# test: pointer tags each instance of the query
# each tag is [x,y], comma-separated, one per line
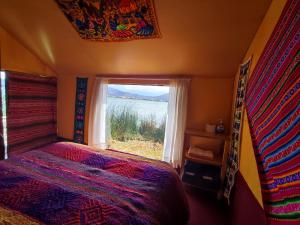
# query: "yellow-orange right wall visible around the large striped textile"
[248,166]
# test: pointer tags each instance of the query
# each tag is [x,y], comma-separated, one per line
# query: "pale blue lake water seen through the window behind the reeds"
[143,108]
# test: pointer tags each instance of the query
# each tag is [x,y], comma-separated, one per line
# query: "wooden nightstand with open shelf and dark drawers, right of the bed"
[203,172]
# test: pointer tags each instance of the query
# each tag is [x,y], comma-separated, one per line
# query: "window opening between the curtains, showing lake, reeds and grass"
[136,118]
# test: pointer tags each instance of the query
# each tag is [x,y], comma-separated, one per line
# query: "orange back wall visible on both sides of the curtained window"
[209,100]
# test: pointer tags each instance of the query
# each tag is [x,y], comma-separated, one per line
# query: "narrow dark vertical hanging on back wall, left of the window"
[80,103]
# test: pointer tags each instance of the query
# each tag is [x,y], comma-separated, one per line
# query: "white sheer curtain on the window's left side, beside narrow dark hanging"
[97,116]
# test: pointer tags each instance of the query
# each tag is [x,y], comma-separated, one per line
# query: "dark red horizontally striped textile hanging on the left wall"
[31,111]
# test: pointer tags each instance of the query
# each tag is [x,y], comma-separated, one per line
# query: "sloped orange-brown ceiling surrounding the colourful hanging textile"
[199,37]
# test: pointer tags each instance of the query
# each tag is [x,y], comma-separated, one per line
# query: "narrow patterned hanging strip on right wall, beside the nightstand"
[234,151]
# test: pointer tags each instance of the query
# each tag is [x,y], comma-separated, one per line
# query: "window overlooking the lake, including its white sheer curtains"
[102,113]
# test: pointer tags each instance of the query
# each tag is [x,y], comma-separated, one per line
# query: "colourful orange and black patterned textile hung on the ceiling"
[112,20]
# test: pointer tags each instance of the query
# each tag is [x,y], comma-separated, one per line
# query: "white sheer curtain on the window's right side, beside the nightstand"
[176,121]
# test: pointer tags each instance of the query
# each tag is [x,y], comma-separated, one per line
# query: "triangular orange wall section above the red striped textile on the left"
[15,57]
